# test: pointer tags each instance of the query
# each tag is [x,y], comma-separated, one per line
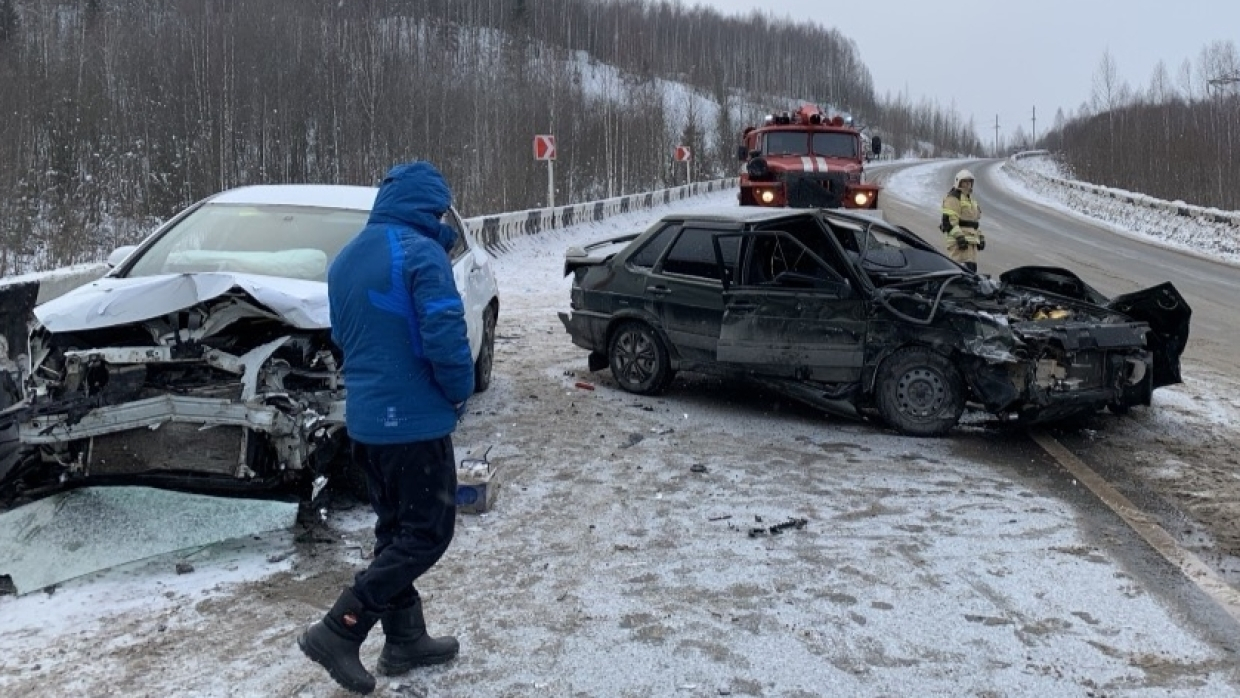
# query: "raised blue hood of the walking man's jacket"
[416,195]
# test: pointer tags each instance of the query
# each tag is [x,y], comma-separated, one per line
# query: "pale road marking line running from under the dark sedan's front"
[1189,563]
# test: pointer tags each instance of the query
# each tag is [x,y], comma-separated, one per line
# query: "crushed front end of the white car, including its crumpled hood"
[208,382]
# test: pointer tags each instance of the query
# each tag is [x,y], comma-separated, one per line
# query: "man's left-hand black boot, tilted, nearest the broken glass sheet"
[335,642]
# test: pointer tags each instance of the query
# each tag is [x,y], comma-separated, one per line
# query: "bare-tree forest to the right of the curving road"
[1177,139]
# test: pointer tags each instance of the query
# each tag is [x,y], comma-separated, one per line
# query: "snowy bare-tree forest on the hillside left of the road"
[117,113]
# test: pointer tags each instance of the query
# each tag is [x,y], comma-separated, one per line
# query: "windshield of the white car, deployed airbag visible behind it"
[277,241]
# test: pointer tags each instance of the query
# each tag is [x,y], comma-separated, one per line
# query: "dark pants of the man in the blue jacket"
[414,493]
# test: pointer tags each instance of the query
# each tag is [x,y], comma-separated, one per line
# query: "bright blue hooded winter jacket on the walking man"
[399,318]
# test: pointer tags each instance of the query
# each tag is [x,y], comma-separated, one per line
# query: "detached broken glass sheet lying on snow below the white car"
[84,531]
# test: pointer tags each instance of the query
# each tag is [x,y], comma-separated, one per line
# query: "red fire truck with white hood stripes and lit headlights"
[807,161]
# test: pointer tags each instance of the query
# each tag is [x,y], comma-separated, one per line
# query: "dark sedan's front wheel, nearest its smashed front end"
[921,394]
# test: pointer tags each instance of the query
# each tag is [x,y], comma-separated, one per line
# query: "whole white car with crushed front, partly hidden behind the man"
[203,360]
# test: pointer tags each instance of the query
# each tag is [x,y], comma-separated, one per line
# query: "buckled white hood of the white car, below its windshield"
[111,302]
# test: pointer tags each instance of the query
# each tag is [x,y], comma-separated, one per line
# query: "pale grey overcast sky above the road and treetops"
[1005,59]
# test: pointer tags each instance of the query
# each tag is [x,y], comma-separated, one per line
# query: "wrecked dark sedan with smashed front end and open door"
[865,319]
